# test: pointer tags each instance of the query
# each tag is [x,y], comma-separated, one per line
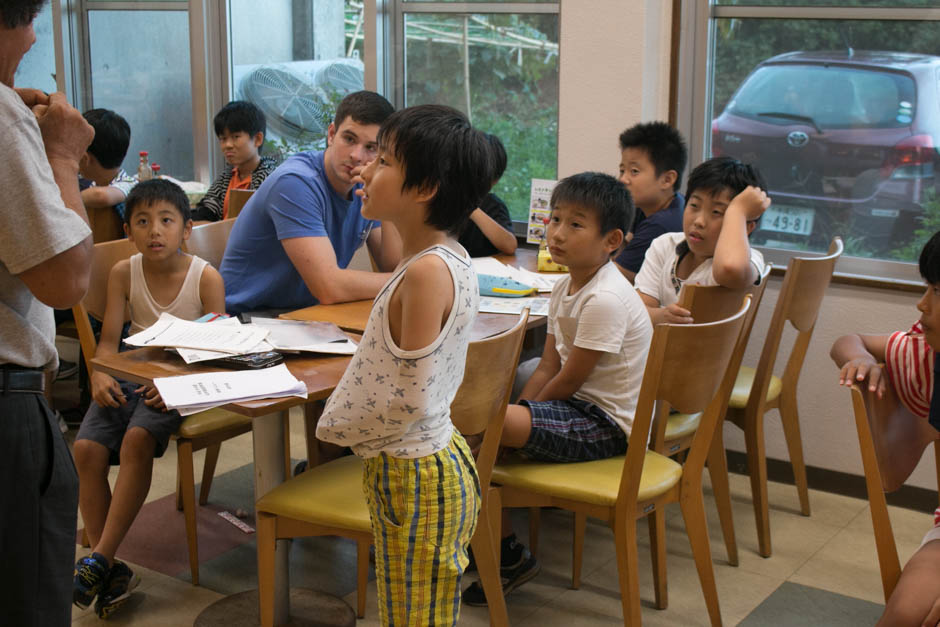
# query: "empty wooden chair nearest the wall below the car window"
[758,390]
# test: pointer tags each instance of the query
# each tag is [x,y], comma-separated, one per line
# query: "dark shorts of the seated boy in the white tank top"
[107,425]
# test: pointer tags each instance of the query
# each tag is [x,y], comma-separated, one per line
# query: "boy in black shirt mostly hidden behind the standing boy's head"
[489,230]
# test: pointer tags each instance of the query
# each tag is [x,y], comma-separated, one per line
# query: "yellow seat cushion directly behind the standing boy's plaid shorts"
[329,494]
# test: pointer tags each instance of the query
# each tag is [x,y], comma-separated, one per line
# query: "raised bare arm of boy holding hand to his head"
[731,265]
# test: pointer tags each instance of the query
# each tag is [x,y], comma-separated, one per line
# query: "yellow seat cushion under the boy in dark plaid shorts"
[596,482]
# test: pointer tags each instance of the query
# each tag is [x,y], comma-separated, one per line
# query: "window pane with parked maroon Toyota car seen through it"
[842,119]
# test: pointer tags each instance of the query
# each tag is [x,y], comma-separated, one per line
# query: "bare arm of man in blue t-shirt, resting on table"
[315,260]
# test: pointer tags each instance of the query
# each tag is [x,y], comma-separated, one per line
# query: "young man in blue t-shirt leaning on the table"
[293,240]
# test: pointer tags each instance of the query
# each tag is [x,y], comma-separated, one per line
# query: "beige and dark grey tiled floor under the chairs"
[832,550]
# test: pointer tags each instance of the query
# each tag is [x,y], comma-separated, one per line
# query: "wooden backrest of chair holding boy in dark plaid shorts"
[674,378]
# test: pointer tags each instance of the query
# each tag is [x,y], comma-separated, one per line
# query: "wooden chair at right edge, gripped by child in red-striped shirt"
[892,441]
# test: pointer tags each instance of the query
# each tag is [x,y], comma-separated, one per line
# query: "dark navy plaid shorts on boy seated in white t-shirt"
[572,431]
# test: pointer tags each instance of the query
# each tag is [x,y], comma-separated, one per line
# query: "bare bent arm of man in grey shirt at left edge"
[61,281]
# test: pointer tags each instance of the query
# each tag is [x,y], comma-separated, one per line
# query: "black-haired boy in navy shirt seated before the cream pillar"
[652,158]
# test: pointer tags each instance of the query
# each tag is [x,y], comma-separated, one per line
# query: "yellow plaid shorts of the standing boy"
[423,513]
